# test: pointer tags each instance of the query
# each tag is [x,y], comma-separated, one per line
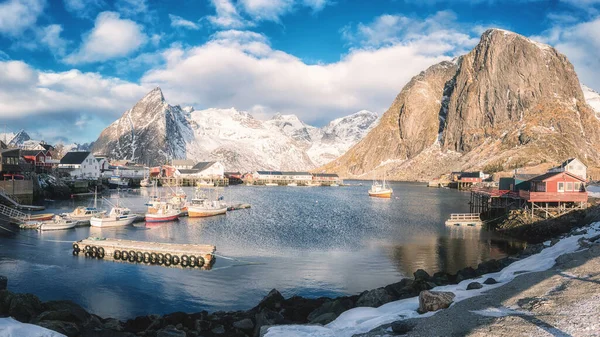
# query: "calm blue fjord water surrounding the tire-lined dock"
[319,241]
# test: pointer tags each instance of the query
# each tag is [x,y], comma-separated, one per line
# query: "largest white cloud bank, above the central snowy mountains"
[241,69]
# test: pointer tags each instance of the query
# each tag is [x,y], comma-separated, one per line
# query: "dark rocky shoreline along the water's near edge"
[72,320]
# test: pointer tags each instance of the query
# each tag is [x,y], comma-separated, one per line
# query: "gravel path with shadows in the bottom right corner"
[562,301]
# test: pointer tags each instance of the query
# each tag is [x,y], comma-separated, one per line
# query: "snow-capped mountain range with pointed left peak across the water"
[154,132]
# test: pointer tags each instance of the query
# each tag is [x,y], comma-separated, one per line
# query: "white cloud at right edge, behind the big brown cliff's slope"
[580,43]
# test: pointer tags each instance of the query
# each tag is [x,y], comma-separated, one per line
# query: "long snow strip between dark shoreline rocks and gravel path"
[362,320]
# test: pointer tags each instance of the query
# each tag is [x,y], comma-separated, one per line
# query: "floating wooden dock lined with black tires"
[157,253]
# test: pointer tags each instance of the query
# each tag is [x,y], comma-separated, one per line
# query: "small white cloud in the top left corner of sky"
[18,15]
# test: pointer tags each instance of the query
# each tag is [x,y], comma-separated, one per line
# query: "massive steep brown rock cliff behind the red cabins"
[510,102]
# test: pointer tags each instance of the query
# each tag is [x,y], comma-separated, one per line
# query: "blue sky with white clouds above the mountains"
[68,68]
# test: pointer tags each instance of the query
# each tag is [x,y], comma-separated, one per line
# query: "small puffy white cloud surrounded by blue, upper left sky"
[111,37]
